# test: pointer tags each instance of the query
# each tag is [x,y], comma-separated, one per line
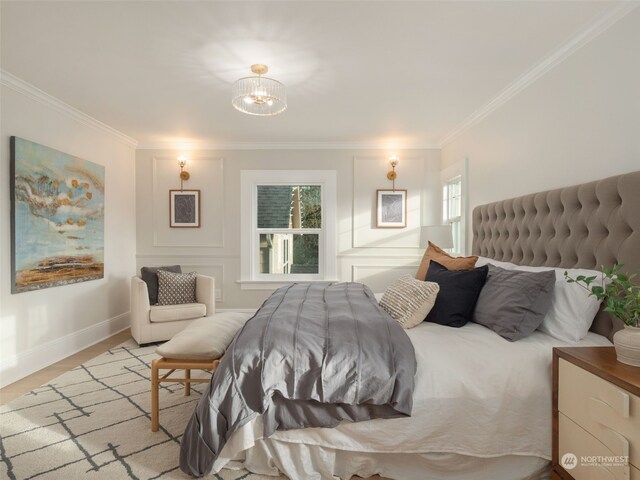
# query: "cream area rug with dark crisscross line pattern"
[94,423]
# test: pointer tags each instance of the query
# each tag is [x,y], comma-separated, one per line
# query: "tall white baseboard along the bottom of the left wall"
[25,363]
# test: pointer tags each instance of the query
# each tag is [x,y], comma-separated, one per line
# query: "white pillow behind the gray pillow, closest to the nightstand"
[572,307]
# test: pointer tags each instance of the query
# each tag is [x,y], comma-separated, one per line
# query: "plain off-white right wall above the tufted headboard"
[577,123]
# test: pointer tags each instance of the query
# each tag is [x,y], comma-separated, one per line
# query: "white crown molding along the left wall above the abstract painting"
[11,81]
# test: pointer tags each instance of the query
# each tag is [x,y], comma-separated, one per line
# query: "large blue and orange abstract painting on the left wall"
[57,218]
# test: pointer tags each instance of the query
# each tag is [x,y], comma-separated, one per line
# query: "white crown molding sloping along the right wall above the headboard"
[593,30]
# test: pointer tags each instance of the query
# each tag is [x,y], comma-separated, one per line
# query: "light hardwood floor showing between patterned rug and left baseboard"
[41,377]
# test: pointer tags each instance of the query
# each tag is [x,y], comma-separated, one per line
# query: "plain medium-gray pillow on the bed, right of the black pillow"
[513,303]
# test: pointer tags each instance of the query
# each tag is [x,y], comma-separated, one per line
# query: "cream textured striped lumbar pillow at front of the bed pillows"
[409,300]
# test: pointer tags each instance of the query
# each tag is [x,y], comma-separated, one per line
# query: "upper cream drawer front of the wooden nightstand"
[607,412]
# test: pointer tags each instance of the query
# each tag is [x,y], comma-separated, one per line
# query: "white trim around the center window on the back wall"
[249,180]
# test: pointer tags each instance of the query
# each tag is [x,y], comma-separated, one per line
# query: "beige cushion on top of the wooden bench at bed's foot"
[205,338]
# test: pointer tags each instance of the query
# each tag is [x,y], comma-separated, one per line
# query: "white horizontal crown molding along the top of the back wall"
[281,146]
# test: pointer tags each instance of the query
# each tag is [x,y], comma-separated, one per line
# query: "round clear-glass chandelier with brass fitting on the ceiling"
[259,95]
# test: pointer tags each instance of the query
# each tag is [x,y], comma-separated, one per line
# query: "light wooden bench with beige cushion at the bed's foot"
[200,346]
